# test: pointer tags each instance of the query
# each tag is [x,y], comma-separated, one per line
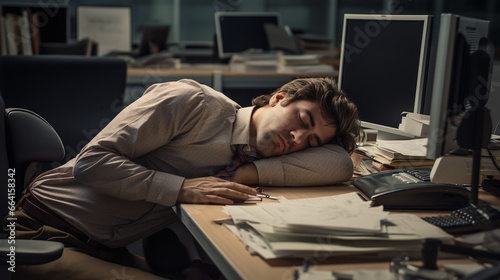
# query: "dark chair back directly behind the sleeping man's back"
[77,95]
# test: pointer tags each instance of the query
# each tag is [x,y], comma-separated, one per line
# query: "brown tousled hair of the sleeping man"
[335,107]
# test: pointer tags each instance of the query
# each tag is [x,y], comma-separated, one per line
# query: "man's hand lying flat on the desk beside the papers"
[213,190]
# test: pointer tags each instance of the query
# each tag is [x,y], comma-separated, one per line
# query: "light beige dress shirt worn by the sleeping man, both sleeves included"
[123,184]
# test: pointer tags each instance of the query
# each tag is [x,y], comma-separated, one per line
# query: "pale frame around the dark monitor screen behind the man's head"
[388,131]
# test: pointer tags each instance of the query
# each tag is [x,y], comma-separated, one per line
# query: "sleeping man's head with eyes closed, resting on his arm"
[303,113]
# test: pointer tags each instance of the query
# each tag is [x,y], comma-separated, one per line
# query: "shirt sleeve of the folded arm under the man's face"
[325,165]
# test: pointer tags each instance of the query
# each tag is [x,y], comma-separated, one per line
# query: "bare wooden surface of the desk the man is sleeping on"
[235,262]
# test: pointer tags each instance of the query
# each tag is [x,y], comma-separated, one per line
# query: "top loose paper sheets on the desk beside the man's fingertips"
[345,213]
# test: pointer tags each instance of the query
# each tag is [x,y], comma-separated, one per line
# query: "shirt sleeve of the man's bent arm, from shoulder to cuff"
[110,162]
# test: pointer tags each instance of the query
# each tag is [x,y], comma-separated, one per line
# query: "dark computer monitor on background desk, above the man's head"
[240,31]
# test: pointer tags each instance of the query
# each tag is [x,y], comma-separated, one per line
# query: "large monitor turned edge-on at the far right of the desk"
[456,79]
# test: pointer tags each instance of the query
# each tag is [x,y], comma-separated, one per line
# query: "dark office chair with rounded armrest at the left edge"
[25,137]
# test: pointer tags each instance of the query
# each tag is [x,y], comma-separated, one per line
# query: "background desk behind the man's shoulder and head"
[239,86]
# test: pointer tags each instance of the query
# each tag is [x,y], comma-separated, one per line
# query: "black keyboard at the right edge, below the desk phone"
[468,219]
